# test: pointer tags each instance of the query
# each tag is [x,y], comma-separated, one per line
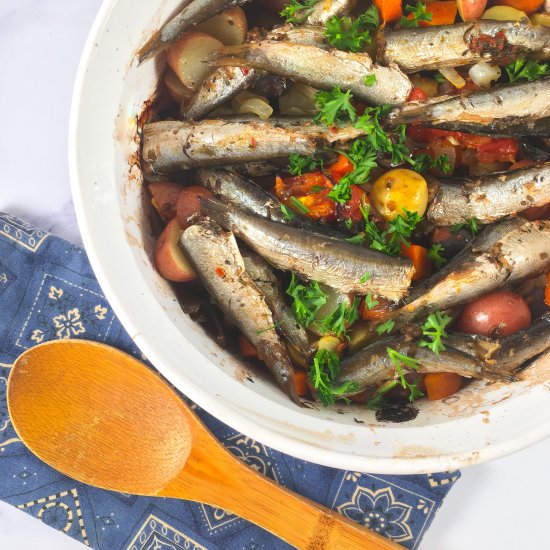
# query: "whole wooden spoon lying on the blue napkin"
[100,416]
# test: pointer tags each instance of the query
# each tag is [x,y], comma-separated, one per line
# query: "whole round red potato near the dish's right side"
[497,314]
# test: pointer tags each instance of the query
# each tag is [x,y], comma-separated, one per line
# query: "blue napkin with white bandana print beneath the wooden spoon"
[47,291]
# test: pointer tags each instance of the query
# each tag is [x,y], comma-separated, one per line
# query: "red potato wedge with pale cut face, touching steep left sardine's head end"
[169,259]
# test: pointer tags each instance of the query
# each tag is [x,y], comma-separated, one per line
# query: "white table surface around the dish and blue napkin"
[498,505]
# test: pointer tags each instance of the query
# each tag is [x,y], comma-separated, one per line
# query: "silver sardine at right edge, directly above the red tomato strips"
[520,109]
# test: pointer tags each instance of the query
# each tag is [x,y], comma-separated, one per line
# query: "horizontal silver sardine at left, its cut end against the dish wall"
[171,147]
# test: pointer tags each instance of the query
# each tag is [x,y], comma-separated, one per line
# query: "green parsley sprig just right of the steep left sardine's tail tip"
[323,373]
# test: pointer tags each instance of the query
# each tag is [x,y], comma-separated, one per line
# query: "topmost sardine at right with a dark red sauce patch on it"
[428,48]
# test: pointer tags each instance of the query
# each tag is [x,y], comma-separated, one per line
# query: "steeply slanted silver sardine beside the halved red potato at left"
[213,251]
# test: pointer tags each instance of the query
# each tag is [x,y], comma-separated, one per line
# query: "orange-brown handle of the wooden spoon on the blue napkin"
[221,480]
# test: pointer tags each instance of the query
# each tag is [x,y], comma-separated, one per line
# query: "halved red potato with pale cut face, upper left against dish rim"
[188,58]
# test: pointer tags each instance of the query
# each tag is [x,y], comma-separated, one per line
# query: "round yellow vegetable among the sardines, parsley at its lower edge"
[399,190]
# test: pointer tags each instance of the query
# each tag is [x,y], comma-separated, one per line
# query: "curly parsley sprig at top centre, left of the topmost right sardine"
[350,35]
